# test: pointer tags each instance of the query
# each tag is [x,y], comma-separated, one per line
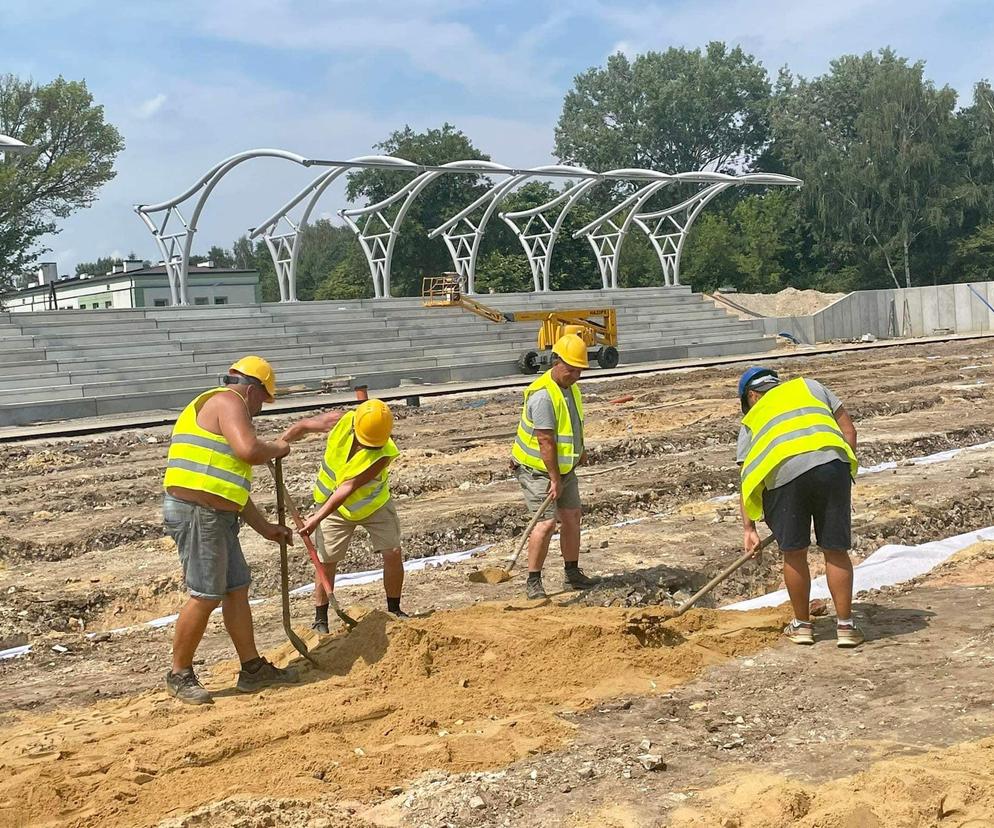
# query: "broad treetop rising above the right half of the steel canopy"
[671,111]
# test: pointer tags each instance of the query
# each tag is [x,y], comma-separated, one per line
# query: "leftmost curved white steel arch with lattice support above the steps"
[175,246]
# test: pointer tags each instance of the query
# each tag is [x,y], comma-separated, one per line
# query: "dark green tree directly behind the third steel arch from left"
[415,255]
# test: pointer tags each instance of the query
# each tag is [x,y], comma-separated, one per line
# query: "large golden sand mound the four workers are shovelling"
[463,690]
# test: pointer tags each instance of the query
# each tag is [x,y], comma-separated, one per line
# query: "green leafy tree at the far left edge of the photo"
[72,156]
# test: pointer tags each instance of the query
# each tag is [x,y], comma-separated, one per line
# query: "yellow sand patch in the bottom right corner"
[952,787]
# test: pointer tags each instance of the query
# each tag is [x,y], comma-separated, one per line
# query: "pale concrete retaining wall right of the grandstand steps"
[907,312]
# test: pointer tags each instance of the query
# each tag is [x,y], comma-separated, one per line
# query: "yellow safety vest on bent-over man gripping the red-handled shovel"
[337,467]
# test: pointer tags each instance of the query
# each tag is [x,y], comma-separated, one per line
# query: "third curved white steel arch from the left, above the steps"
[377,233]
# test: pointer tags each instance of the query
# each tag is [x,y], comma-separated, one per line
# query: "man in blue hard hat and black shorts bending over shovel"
[797,450]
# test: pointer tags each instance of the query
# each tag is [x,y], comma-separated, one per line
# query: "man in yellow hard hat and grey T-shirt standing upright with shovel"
[547,449]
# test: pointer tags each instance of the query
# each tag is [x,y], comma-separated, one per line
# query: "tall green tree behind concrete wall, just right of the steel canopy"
[873,140]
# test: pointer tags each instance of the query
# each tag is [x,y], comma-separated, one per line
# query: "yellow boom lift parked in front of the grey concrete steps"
[598,327]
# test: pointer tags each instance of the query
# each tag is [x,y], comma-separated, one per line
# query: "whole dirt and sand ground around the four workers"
[587,710]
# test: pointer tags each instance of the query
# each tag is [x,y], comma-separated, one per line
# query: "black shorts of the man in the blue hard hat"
[823,495]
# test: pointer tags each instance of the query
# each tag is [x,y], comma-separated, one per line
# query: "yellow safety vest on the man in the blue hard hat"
[788,420]
